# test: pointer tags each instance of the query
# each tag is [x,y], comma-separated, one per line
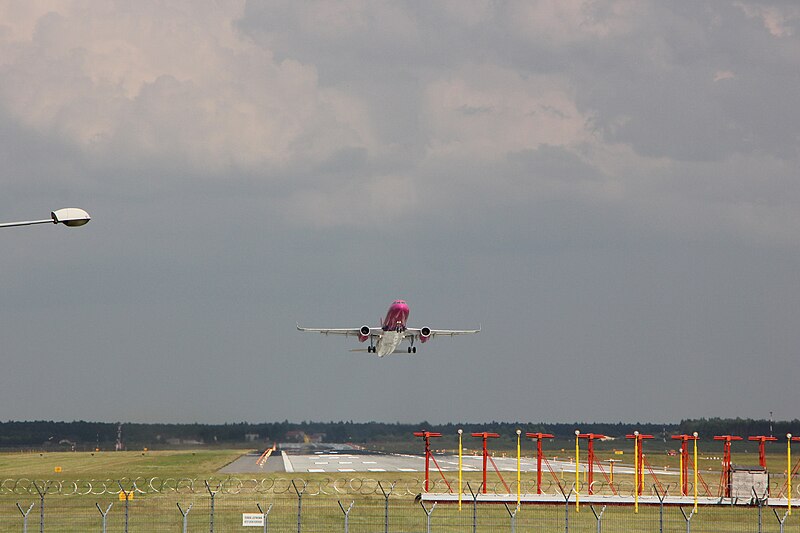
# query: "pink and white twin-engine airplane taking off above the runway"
[386,338]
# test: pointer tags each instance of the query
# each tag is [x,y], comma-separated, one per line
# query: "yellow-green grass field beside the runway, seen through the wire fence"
[71,500]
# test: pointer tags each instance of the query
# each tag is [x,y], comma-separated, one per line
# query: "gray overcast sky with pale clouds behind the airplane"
[609,187]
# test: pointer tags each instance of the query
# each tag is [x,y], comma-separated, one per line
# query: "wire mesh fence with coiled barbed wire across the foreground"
[334,505]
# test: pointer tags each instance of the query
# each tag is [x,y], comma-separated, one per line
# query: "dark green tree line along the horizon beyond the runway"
[82,435]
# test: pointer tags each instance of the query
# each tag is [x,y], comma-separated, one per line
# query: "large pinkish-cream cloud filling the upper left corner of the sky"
[142,81]
